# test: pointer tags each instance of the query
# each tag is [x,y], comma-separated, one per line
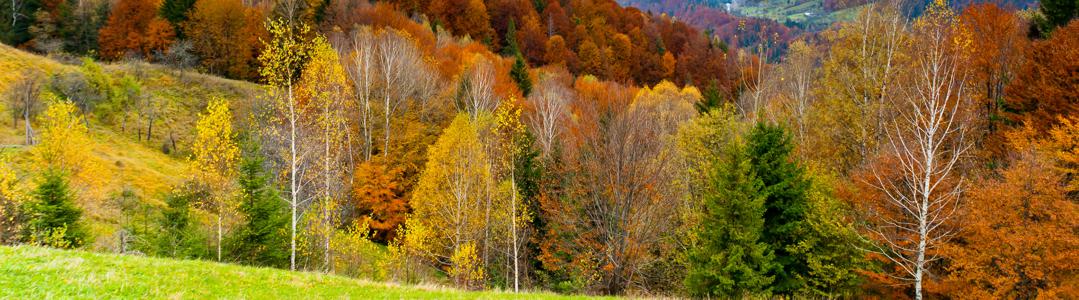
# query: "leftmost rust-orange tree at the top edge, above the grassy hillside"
[135,28]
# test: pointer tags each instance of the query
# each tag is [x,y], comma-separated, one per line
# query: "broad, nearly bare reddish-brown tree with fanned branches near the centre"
[623,196]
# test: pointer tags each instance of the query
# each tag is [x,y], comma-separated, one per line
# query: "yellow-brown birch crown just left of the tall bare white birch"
[857,79]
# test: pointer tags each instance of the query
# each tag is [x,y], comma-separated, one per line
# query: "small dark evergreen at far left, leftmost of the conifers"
[54,219]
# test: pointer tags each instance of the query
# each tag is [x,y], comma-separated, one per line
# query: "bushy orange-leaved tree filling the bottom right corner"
[1019,240]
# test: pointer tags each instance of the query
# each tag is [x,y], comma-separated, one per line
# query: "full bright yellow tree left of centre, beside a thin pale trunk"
[456,197]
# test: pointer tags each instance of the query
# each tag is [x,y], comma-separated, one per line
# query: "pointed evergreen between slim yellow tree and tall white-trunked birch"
[263,238]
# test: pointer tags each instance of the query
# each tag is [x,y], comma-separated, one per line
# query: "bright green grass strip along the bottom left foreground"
[38,274]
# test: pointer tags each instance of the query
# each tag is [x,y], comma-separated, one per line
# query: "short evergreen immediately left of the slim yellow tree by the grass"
[180,237]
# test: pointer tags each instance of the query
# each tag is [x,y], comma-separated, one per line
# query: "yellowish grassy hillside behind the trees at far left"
[130,162]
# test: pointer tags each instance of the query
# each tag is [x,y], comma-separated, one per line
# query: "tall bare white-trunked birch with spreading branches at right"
[928,140]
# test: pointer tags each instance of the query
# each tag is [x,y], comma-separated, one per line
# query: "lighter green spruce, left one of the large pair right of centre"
[731,261]
